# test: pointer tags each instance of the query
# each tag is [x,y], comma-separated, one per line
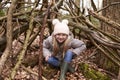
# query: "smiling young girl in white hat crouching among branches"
[59,48]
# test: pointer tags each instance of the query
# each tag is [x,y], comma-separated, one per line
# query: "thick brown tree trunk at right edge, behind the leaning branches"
[111,12]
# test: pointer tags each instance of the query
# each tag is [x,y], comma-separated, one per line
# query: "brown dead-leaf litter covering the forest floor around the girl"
[49,73]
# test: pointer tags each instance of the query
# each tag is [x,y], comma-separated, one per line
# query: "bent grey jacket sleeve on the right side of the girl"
[78,46]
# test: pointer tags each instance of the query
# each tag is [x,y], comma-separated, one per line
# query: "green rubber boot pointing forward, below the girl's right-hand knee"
[64,69]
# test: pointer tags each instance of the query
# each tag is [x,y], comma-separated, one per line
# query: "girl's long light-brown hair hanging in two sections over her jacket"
[56,47]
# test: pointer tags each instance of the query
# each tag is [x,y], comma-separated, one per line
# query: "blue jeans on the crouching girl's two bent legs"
[55,62]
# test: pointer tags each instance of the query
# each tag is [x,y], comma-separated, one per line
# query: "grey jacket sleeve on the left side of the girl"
[47,46]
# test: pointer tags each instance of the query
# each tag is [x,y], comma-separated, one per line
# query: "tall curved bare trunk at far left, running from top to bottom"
[8,36]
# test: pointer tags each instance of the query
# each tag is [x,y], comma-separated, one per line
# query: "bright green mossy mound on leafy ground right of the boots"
[92,74]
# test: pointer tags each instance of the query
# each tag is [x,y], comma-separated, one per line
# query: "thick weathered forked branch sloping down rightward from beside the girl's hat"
[102,40]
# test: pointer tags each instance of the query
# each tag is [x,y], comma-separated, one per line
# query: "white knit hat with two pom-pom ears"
[60,27]
